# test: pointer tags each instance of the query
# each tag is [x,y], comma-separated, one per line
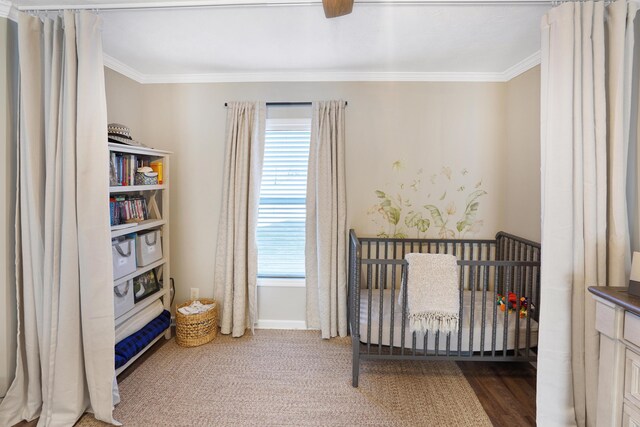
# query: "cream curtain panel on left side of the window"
[236,266]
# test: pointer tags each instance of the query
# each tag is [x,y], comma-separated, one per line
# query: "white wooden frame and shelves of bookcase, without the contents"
[159,221]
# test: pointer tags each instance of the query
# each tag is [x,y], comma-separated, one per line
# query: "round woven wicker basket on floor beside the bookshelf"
[196,329]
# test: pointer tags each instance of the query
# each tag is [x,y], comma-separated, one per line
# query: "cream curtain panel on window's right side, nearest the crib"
[326,224]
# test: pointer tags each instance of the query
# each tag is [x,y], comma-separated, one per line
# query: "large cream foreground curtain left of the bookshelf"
[65,359]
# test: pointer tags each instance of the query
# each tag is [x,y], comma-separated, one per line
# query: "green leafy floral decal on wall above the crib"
[445,209]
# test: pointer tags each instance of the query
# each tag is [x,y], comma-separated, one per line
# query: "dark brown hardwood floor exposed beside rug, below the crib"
[507,391]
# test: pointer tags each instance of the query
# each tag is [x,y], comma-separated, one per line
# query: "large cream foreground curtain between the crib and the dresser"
[586,87]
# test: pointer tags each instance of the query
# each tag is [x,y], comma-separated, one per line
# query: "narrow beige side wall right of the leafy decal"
[522,209]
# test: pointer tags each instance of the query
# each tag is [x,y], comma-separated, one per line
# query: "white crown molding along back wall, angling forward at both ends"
[329,76]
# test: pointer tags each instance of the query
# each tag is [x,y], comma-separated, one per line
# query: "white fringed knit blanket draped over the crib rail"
[433,297]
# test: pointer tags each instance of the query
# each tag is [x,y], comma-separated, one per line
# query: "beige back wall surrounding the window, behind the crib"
[423,128]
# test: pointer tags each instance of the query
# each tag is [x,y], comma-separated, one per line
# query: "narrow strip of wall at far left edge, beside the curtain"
[8,107]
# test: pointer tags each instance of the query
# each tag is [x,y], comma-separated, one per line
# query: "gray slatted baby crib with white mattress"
[488,269]
